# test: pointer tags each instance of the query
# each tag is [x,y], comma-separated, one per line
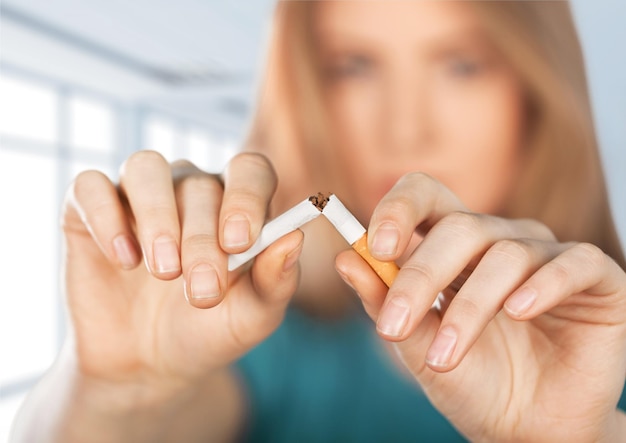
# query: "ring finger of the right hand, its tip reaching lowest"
[503,268]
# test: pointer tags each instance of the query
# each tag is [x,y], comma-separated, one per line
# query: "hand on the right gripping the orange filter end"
[528,343]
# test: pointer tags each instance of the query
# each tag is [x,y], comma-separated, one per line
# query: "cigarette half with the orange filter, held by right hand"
[356,235]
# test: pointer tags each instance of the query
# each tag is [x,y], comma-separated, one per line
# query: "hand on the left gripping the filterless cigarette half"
[182,315]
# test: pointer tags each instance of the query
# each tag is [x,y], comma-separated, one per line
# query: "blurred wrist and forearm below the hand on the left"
[69,406]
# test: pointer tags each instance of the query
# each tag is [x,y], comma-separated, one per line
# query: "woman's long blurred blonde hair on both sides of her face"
[562,186]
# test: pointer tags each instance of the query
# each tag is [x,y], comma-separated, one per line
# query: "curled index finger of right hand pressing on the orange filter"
[416,200]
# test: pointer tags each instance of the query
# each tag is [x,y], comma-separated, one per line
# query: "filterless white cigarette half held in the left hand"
[288,221]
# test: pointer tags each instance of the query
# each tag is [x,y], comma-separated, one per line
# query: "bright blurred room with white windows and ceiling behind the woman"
[83,83]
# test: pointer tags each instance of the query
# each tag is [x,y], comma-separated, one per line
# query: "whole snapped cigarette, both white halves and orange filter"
[305,211]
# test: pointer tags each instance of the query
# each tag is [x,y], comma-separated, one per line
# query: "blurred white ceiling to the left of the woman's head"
[196,58]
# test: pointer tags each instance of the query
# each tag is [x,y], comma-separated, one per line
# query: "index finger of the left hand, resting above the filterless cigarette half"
[249,183]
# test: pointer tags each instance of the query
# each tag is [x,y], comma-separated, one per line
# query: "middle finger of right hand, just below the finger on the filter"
[450,249]
